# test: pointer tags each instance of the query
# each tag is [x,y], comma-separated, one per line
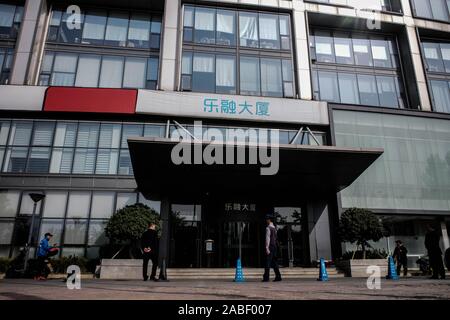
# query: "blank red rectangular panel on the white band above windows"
[69,99]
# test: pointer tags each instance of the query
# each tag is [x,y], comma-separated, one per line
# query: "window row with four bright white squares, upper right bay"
[353,49]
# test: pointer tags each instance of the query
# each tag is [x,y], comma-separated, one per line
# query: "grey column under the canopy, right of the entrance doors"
[319,230]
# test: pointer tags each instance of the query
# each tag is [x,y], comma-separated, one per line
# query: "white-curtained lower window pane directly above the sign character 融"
[226,74]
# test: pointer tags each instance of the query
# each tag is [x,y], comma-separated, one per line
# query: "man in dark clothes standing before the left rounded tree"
[149,243]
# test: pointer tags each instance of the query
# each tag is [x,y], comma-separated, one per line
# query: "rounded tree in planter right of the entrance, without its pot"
[360,226]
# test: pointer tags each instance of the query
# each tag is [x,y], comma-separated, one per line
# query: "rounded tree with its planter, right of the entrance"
[360,226]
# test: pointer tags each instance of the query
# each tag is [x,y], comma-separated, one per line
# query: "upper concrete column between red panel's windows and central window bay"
[169,49]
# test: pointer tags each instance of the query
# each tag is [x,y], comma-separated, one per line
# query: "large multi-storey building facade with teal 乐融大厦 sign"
[82,82]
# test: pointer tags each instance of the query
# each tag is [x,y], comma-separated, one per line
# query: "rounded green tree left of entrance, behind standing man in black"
[127,225]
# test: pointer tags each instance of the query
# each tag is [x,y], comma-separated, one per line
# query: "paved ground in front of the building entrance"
[343,288]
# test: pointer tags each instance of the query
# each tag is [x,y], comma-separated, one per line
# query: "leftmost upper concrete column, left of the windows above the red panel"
[26,41]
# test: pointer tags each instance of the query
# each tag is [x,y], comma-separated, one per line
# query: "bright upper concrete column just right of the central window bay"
[300,39]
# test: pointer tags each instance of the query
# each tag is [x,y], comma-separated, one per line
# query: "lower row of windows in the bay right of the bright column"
[370,90]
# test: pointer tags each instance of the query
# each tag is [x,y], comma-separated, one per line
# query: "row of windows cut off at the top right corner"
[432,9]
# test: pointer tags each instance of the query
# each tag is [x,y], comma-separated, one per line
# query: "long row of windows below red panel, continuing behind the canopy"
[88,147]
